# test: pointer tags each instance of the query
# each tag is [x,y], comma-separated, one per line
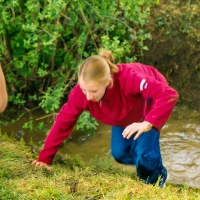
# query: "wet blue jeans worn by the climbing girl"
[144,153]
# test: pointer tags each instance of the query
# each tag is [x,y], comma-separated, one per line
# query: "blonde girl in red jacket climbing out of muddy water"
[133,98]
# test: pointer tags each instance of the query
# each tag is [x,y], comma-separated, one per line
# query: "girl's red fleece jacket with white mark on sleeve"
[139,93]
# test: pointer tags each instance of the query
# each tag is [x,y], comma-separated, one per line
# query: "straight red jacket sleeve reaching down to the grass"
[65,122]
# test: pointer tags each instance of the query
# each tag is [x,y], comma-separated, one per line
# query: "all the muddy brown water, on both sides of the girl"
[180,145]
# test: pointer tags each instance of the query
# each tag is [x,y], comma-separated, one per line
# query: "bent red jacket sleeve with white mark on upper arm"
[160,99]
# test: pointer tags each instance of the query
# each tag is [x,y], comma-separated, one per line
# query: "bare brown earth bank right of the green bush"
[175,47]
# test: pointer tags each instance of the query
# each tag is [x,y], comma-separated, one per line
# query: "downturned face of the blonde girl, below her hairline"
[94,91]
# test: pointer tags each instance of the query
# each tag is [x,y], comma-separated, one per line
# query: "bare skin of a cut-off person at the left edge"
[3,92]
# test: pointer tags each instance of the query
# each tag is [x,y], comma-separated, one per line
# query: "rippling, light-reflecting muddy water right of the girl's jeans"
[180,144]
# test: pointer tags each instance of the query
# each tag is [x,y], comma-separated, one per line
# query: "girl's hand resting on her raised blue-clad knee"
[139,127]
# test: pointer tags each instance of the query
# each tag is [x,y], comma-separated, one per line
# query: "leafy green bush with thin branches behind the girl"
[43,41]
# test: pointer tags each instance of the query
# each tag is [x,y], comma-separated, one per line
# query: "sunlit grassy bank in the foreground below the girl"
[73,179]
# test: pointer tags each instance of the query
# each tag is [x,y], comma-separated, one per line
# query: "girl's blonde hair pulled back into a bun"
[98,67]
